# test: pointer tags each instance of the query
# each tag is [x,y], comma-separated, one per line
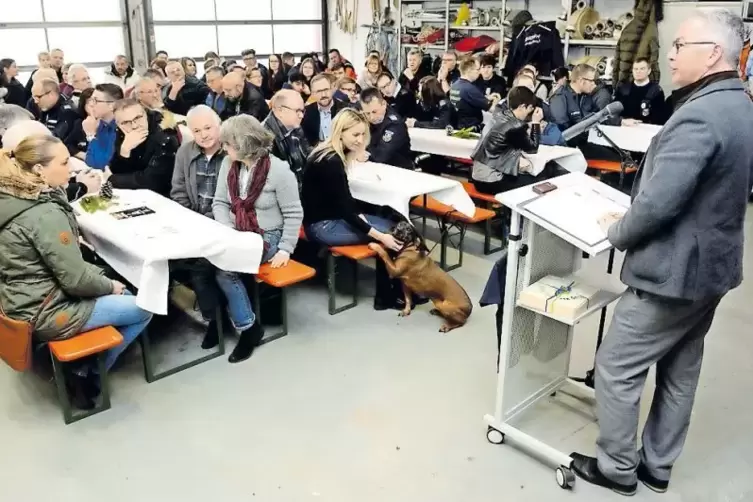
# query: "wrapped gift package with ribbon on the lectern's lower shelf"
[564,297]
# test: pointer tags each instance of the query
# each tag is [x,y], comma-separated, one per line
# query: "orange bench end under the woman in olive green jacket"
[96,341]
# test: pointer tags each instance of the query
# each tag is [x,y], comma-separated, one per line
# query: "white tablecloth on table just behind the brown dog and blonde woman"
[395,187]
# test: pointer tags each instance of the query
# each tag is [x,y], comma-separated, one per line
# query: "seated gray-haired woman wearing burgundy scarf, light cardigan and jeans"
[256,192]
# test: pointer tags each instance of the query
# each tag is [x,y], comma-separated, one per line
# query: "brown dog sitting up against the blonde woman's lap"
[421,275]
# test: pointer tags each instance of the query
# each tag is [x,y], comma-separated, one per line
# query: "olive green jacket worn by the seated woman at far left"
[40,257]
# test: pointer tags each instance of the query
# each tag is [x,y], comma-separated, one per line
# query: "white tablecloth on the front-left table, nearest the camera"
[139,248]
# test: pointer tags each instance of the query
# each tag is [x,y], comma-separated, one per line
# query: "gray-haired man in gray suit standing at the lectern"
[683,237]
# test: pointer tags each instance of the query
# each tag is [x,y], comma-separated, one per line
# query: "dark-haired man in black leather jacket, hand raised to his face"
[498,161]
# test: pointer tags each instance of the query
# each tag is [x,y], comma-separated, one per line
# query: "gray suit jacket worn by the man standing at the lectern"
[684,231]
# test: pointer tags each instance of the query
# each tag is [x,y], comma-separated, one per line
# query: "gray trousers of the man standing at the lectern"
[647,329]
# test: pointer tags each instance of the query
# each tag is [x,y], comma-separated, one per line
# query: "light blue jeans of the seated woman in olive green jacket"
[121,312]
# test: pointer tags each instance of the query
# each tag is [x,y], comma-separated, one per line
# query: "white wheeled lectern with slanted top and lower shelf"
[549,235]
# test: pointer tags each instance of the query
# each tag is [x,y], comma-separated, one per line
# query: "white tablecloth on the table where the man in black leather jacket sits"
[436,141]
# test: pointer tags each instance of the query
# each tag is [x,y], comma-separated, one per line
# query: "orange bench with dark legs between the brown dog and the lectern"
[448,217]
